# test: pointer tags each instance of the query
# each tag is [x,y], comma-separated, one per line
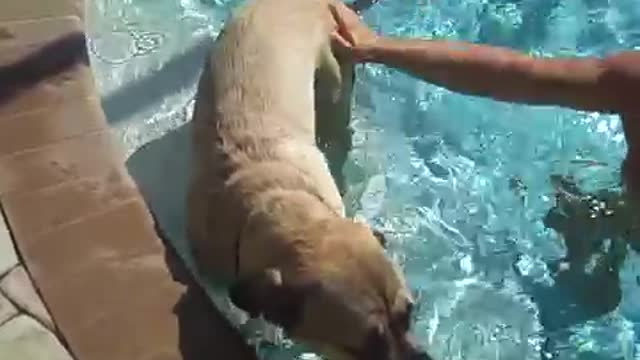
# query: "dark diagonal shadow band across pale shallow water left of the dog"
[179,72]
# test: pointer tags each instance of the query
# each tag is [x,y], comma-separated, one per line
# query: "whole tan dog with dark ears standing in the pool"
[265,213]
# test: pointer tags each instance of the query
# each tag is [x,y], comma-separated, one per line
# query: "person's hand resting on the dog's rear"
[352,37]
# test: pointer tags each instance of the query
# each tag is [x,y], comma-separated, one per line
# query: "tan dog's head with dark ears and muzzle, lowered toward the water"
[344,298]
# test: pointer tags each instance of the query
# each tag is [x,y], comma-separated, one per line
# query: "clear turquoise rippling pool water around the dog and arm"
[460,184]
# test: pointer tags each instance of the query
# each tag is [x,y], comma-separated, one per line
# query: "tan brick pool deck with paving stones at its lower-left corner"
[83,273]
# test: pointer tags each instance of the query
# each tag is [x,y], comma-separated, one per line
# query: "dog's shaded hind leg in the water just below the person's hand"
[333,94]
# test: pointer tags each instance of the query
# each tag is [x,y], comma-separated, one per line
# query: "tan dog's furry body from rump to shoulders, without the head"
[270,87]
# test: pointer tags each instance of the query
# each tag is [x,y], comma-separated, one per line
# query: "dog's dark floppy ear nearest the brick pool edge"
[266,294]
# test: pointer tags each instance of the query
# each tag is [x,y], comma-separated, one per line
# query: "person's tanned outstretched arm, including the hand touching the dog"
[607,85]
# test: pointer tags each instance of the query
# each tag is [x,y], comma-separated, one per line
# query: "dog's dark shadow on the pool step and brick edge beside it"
[161,169]
